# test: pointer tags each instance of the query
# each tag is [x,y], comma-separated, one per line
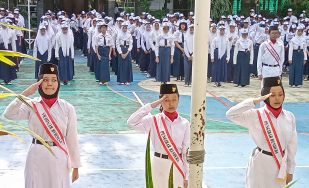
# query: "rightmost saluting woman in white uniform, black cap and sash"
[273,130]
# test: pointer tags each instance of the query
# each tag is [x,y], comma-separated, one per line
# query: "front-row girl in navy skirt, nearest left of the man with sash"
[243,58]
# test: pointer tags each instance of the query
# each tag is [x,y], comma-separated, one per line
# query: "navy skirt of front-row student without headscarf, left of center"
[102,68]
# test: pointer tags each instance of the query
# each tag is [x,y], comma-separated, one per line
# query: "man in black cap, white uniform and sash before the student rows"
[271,56]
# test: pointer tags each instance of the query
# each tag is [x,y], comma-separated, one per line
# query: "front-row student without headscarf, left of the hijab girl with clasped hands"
[104,45]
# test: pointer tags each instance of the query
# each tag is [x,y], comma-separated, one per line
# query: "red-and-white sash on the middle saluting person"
[168,144]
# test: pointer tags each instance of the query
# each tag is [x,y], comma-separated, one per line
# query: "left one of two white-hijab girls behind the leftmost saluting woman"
[41,49]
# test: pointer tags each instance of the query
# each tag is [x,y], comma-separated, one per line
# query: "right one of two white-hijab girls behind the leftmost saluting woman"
[64,53]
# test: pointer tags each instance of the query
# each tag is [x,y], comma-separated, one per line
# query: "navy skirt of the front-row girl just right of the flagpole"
[219,68]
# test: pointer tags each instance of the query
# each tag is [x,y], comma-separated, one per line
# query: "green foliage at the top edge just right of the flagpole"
[219,8]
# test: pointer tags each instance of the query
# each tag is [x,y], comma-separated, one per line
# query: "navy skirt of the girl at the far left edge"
[7,72]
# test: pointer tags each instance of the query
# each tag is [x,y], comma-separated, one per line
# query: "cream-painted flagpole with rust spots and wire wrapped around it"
[198,99]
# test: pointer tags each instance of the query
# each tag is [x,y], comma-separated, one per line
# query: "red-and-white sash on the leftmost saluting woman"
[50,126]
